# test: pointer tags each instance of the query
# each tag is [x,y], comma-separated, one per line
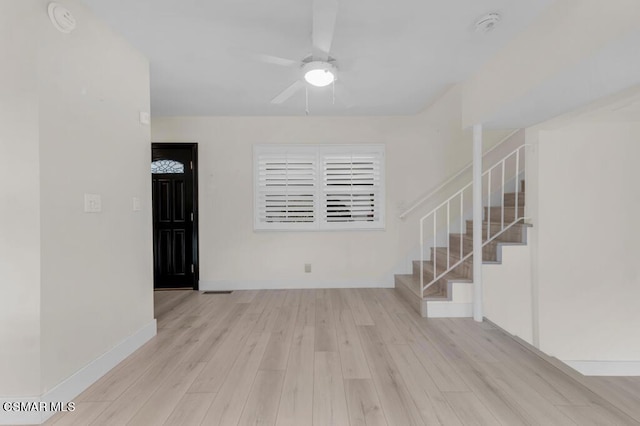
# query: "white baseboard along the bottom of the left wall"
[78,382]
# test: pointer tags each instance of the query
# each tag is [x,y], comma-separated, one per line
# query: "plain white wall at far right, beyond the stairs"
[586,253]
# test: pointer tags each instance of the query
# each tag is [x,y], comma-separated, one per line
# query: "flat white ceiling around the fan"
[393,57]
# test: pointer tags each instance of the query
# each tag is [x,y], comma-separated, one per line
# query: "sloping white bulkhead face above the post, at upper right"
[565,34]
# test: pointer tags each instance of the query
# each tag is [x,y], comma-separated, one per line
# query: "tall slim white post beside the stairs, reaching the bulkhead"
[477,222]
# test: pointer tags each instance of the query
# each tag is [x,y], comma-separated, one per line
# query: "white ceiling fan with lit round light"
[318,69]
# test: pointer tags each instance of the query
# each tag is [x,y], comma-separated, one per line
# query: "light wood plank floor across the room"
[339,357]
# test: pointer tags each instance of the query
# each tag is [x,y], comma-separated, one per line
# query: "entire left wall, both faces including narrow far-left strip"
[74,285]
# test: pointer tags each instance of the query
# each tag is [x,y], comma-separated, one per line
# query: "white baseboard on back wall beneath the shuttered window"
[225,285]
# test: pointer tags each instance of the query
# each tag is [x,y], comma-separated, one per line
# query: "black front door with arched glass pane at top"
[174,177]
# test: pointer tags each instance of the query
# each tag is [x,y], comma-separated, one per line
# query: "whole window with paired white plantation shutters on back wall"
[324,187]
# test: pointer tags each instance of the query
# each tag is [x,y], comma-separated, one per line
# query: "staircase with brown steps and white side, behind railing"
[451,295]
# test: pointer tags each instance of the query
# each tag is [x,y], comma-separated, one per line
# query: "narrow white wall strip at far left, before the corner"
[19,203]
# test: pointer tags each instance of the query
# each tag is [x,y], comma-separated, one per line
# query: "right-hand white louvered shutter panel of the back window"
[352,189]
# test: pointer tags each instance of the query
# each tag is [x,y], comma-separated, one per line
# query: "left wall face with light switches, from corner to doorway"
[96,268]
